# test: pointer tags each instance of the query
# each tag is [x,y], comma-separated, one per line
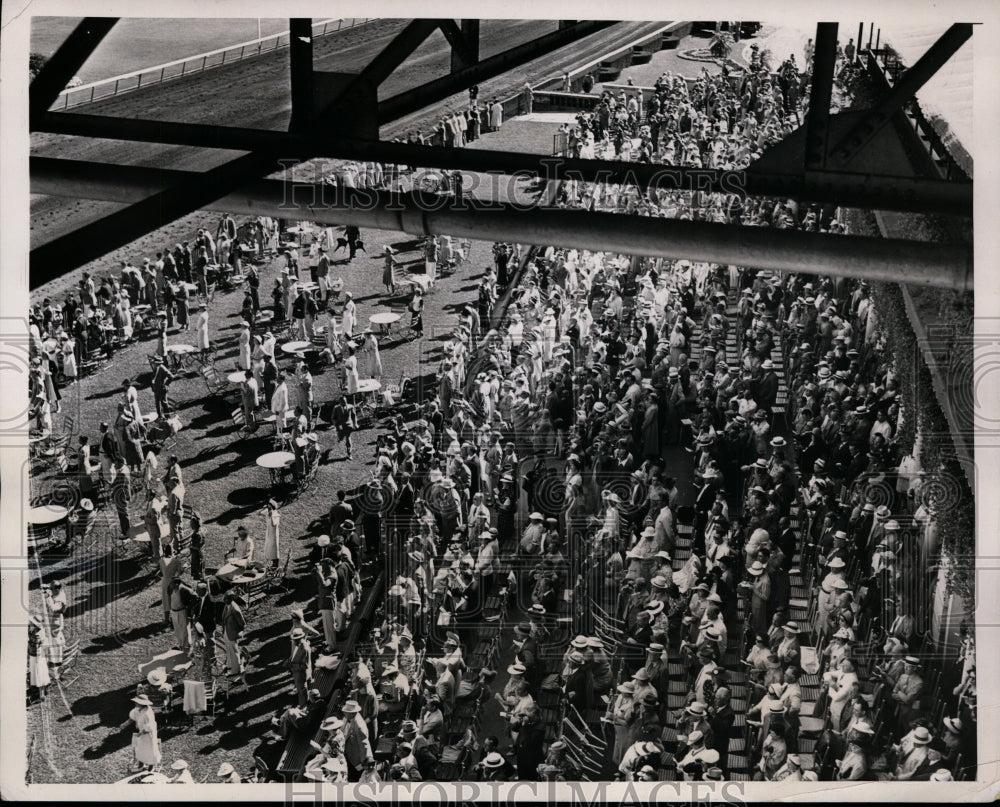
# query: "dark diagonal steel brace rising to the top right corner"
[902,91]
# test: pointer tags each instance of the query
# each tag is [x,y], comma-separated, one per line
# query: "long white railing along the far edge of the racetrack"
[116,85]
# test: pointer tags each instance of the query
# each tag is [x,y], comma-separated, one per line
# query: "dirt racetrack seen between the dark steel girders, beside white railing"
[255,93]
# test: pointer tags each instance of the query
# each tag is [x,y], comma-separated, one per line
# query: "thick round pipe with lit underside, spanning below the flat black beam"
[943,265]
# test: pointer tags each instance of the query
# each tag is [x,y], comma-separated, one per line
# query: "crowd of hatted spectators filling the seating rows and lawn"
[770,626]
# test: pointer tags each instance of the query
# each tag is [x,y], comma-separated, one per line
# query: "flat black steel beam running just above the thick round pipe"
[916,195]
